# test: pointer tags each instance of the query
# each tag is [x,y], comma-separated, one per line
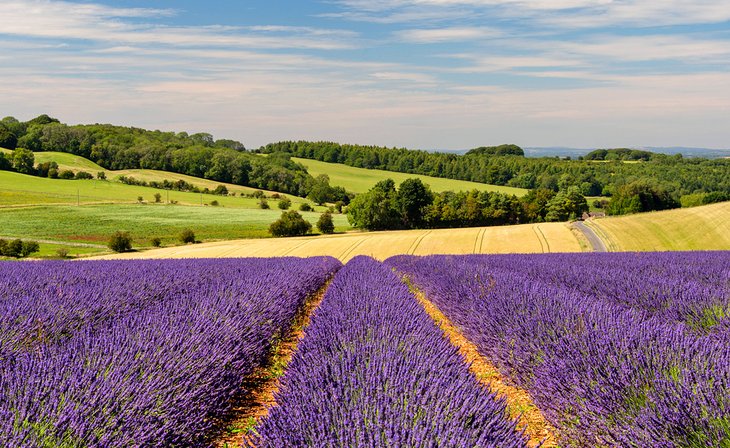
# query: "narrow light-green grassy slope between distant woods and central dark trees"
[360,180]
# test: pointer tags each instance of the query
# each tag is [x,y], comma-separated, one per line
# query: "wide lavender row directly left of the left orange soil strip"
[161,376]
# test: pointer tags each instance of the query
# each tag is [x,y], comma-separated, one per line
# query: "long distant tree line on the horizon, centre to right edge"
[602,175]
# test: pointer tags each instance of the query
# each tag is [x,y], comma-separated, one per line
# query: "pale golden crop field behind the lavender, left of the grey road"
[526,238]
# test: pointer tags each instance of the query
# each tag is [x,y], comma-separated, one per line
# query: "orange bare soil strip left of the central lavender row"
[261,386]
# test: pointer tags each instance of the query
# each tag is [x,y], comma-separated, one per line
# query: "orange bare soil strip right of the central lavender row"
[519,403]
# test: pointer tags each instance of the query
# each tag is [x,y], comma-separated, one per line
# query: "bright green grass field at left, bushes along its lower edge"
[96,223]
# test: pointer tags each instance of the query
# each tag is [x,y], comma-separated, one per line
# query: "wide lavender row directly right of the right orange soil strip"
[604,372]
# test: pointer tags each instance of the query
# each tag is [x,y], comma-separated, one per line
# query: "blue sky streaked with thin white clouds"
[429,74]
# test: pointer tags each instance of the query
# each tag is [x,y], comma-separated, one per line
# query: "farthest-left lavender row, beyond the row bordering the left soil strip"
[46,303]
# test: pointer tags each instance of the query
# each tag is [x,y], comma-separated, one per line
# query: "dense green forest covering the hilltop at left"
[119,148]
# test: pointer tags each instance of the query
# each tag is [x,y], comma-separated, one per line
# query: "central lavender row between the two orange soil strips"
[373,370]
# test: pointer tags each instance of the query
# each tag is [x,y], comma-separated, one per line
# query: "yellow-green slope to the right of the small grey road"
[696,228]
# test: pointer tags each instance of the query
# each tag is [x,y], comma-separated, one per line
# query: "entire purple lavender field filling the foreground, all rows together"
[616,350]
